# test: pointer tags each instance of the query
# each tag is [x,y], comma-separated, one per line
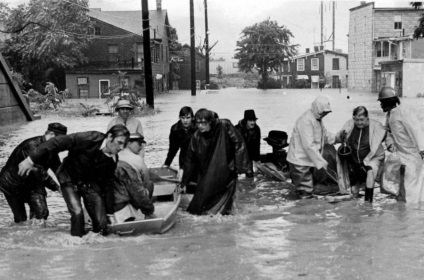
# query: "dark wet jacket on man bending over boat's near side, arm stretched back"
[85,164]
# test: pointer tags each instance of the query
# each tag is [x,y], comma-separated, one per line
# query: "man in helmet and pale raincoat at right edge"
[405,136]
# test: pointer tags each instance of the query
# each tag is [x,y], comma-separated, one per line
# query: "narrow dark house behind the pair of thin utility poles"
[185,69]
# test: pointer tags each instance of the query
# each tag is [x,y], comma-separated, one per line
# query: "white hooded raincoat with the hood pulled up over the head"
[309,136]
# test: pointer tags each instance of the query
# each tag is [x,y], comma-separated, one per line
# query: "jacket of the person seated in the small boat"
[129,188]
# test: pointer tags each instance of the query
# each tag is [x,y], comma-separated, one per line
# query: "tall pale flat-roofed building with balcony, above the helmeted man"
[382,50]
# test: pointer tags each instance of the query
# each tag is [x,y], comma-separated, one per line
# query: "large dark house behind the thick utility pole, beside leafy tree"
[117,45]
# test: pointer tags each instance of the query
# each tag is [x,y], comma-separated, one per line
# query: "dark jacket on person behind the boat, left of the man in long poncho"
[179,138]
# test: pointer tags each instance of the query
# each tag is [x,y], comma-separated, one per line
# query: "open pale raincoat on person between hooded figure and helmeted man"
[374,157]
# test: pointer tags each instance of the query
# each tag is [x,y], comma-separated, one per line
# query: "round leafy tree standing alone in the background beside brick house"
[264,46]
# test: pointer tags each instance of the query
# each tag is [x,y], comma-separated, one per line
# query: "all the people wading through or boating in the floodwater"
[107,172]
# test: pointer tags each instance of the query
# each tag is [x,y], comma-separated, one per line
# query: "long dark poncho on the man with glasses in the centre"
[218,155]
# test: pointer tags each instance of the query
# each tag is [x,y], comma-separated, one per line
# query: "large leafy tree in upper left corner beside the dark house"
[48,37]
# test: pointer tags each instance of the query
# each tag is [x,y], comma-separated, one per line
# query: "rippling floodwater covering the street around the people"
[272,235]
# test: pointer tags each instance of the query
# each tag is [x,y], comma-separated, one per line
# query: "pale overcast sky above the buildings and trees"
[228,18]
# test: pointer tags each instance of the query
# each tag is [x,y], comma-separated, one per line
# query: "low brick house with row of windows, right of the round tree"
[311,65]
